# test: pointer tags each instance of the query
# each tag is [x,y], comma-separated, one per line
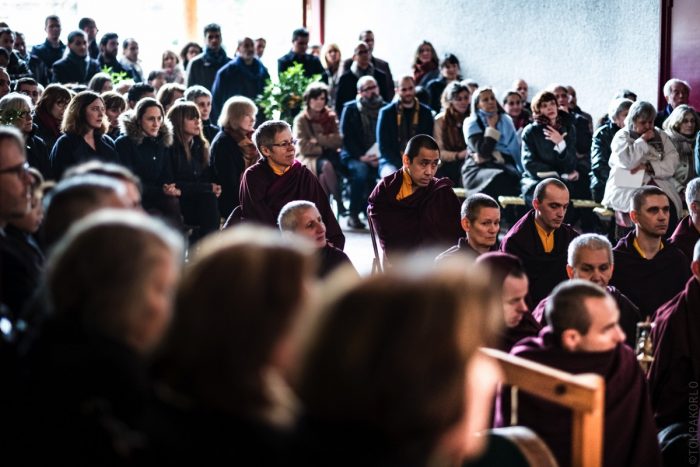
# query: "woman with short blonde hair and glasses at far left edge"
[16,110]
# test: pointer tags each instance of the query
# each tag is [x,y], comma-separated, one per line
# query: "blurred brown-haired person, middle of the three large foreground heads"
[230,350]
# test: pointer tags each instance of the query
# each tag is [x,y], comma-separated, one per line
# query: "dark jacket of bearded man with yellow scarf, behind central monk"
[388,132]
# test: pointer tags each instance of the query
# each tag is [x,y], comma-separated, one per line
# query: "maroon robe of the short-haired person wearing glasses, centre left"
[263,194]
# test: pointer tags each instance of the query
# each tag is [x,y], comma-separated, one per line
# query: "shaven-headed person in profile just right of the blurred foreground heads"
[508,275]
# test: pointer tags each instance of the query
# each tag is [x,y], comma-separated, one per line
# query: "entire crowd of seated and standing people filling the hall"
[135,331]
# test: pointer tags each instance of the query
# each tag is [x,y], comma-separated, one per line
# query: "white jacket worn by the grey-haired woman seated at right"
[628,153]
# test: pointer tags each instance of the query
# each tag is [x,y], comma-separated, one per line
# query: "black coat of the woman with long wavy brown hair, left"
[71,149]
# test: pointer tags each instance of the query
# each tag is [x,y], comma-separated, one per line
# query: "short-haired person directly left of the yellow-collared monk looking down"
[481,222]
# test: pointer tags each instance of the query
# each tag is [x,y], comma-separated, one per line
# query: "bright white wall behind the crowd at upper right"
[597,46]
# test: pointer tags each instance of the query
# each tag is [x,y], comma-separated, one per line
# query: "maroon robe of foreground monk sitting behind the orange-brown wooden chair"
[629,438]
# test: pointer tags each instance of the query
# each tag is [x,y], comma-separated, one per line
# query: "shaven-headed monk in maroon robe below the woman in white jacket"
[648,270]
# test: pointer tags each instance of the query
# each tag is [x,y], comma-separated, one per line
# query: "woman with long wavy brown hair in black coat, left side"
[85,126]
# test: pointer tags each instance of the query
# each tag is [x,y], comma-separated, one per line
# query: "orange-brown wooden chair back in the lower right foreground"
[584,394]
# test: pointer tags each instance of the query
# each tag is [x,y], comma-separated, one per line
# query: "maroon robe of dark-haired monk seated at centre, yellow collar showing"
[428,217]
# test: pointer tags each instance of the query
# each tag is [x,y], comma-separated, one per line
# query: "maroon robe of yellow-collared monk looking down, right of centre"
[544,270]
